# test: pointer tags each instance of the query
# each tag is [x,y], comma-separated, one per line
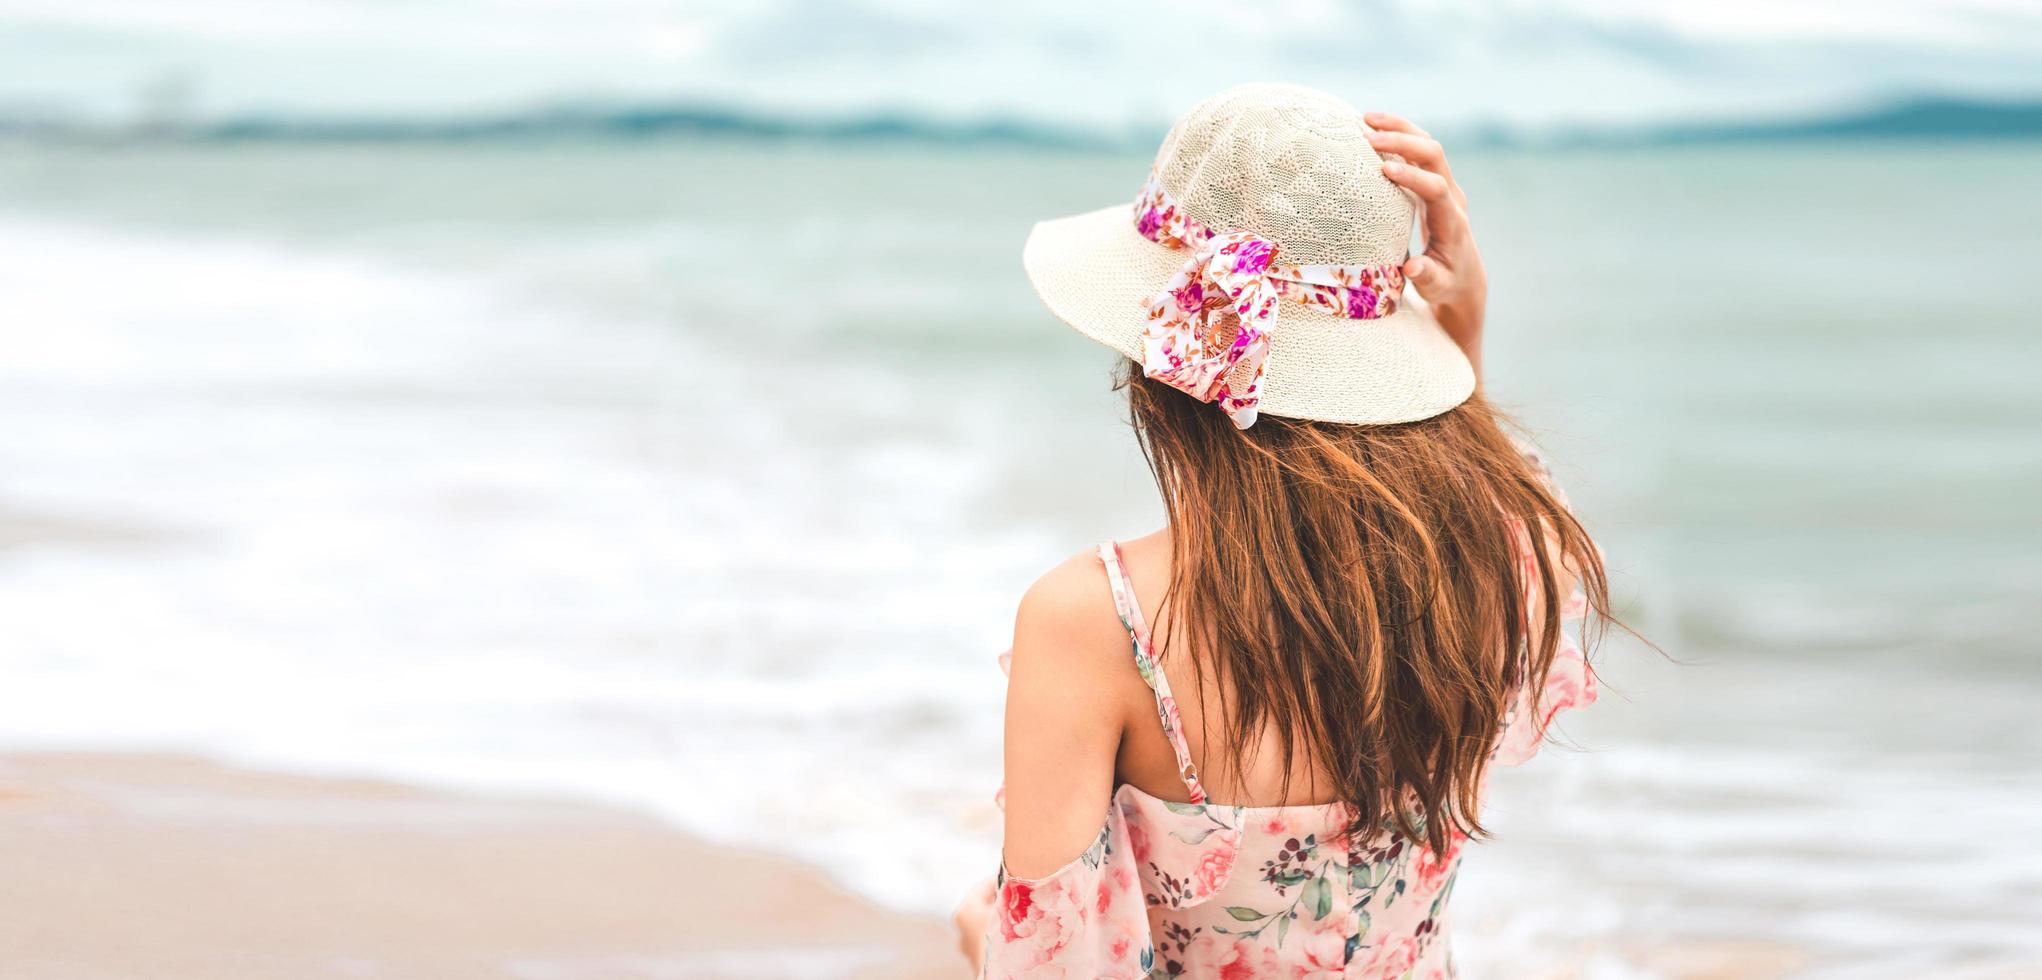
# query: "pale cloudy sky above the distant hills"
[1061,62]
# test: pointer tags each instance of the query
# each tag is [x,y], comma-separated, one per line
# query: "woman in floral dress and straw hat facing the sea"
[1255,742]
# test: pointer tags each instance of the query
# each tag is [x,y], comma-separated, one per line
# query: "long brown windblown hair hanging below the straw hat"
[1365,593]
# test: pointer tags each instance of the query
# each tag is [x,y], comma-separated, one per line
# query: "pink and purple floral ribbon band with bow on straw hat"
[1210,328]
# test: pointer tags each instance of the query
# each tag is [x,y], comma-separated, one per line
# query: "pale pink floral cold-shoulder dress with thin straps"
[1234,893]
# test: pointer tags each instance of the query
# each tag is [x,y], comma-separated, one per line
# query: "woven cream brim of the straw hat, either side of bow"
[1098,275]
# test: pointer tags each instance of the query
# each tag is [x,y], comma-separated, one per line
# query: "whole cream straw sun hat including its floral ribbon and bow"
[1261,271]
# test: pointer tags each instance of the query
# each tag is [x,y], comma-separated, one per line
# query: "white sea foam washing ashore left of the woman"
[422,526]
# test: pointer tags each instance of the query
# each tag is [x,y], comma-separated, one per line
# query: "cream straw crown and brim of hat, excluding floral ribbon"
[1290,166]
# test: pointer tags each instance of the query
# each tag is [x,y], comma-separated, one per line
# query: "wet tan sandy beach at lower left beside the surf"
[162,867]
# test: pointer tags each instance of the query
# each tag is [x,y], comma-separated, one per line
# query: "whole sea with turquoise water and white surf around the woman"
[654,471]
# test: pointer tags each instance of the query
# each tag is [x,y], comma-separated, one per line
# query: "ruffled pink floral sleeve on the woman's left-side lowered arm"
[1087,920]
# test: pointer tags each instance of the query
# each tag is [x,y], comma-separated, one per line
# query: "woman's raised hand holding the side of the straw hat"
[1451,273]
